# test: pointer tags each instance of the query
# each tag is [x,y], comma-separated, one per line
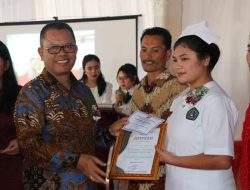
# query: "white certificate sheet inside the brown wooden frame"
[138,156]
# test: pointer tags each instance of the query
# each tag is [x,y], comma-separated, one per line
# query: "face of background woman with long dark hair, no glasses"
[92,70]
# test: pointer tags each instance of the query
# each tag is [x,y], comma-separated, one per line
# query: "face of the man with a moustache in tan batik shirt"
[154,54]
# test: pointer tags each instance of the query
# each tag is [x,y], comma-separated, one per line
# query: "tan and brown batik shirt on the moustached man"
[158,100]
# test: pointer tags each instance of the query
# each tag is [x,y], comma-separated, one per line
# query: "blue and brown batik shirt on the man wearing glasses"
[54,126]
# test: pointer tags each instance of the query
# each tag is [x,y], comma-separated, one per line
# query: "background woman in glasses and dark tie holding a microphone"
[127,79]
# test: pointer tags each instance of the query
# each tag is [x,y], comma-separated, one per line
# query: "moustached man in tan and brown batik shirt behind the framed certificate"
[156,90]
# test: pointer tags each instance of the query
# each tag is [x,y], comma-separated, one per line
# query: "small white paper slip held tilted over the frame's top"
[141,122]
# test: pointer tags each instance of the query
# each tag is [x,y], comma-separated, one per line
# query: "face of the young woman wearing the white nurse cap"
[189,69]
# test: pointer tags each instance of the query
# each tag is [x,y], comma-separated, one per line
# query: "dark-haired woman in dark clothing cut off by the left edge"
[10,159]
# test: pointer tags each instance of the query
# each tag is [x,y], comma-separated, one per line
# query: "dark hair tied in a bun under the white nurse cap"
[201,48]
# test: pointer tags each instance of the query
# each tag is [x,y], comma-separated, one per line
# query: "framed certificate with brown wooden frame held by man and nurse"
[134,155]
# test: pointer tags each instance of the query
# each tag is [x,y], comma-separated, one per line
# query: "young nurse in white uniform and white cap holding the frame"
[199,143]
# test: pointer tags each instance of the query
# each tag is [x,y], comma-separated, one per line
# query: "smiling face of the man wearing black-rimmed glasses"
[59,64]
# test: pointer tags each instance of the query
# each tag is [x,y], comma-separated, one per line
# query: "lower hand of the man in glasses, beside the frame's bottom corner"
[90,166]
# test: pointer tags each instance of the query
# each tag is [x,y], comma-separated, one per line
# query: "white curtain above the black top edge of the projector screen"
[36,10]
